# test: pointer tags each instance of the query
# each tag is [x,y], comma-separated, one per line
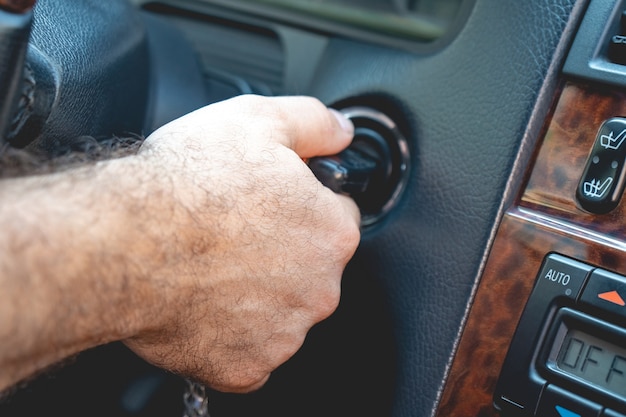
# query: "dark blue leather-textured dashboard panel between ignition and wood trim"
[467,107]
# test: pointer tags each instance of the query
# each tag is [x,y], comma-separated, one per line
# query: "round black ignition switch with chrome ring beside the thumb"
[373,169]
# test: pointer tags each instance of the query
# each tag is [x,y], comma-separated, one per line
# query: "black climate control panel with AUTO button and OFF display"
[568,355]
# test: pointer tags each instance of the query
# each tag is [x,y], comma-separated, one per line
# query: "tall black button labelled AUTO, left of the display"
[519,387]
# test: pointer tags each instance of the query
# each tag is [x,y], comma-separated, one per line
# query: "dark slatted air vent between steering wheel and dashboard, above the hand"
[248,58]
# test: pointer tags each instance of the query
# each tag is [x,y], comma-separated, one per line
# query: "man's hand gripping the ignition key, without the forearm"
[260,244]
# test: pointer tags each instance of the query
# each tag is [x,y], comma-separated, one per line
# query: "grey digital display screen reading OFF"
[600,363]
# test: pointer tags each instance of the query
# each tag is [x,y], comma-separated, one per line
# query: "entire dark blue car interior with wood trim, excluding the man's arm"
[488,162]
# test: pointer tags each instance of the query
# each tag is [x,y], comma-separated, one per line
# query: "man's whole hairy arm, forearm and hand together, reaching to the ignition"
[210,253]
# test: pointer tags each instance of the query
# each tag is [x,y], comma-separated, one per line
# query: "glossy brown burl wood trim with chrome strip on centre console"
[546,218]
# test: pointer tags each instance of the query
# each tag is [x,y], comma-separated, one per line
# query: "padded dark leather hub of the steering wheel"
[98,55]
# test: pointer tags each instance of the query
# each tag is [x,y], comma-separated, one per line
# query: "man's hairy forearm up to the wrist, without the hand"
[72,264]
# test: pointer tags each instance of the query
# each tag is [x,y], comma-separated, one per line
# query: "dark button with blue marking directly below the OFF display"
[556,402]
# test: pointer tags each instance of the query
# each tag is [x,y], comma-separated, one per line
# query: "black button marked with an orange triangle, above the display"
[607,291]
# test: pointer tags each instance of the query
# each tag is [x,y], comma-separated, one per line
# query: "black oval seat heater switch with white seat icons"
[602,182]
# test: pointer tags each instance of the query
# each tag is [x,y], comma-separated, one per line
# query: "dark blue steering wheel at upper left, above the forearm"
[91,69]
